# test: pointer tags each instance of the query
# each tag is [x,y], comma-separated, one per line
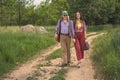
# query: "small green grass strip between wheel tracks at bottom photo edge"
[60,75]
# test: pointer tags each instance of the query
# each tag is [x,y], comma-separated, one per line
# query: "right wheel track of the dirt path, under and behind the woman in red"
[85,72]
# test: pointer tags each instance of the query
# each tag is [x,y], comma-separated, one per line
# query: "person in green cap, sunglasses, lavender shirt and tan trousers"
[66,30]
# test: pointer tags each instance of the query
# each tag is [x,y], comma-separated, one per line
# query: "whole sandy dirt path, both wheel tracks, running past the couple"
[30,69]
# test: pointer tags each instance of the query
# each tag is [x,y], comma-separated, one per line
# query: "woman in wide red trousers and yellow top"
[80,36]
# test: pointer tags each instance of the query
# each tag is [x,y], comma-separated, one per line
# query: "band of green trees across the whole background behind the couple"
[14,12]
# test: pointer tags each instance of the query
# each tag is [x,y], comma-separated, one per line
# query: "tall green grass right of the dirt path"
[106,55]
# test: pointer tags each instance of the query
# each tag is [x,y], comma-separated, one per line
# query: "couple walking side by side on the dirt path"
[71,29]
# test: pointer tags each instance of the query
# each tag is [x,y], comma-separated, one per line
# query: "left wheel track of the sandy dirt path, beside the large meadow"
[24,71]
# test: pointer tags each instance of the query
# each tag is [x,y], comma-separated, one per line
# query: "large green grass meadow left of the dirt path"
[17,47]
